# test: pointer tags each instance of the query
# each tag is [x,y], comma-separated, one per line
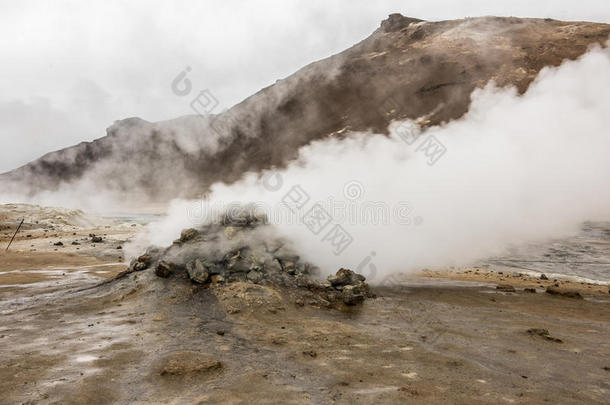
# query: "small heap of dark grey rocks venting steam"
[242,248]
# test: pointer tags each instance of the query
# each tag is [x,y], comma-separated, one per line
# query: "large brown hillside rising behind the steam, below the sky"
[408,68]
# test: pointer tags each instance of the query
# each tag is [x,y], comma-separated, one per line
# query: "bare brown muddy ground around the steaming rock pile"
[440,337]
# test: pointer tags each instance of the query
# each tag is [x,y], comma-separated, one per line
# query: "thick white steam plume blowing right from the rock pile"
[517,169]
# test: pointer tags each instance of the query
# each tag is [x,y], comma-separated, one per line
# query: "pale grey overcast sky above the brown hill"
[70,68]
